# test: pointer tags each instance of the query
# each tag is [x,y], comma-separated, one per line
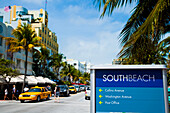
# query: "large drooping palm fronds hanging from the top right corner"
[144,29]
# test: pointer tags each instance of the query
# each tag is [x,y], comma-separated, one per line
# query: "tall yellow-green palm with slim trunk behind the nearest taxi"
[26,39]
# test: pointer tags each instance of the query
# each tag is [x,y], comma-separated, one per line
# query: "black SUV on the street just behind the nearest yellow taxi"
[64,90]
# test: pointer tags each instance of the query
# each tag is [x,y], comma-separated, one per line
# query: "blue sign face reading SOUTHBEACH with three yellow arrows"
[129,91]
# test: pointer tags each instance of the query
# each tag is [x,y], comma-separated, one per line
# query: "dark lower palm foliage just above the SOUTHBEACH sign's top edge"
[147,53]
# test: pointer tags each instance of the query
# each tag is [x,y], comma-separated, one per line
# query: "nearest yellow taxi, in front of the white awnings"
[35,93]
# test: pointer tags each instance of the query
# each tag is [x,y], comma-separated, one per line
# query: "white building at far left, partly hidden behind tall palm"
[17,57]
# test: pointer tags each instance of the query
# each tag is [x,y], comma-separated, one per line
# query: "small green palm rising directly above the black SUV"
[57,62]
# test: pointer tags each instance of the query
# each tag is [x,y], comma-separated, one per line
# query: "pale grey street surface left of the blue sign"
[75,103]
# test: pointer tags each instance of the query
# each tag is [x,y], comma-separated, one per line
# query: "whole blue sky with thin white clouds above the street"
[81,34]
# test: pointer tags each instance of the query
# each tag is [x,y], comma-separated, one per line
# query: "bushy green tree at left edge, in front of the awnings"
[6,70]
